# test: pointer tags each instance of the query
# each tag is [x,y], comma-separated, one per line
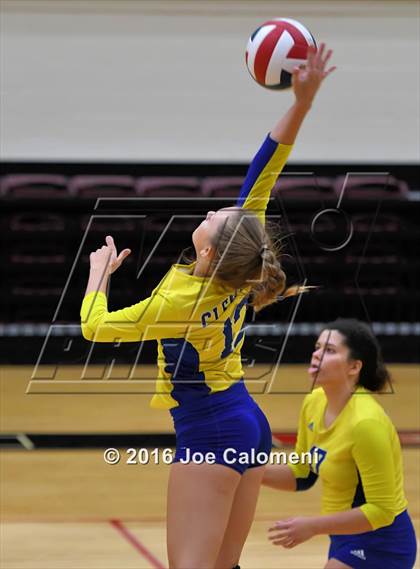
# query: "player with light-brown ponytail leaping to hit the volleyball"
[196,315]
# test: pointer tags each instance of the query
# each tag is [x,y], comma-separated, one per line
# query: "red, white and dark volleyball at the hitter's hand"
[274,49]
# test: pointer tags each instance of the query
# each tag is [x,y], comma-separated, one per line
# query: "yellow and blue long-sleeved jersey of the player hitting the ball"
[196,321]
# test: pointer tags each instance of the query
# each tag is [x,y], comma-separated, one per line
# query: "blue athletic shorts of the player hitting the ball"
[226,427]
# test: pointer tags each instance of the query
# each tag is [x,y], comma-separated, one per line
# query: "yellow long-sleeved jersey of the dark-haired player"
[358,457]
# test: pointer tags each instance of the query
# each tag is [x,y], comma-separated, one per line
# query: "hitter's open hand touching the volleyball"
[307,78]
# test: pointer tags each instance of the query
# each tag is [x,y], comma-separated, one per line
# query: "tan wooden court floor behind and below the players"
[67,509]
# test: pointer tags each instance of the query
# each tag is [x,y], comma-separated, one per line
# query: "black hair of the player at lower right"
[363,346]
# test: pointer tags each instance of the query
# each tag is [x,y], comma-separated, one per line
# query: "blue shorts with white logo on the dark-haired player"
[390,547]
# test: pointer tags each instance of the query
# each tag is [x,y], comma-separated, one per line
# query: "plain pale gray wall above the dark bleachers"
[166,81]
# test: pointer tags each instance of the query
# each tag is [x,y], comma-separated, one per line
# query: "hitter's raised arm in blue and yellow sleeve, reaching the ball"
[272,156]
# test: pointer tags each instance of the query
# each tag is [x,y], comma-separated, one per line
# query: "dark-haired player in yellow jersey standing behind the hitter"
[358,458]
